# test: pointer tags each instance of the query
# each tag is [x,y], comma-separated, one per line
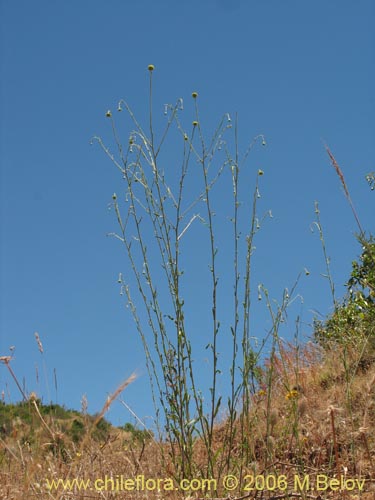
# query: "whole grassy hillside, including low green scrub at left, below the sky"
[314,418]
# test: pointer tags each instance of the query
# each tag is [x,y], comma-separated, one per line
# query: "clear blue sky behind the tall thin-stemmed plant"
[297,72]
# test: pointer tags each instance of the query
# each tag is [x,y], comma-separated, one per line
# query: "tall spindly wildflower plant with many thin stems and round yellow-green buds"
[158,204]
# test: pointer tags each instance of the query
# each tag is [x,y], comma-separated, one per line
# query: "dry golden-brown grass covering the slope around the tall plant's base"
[321,420]
